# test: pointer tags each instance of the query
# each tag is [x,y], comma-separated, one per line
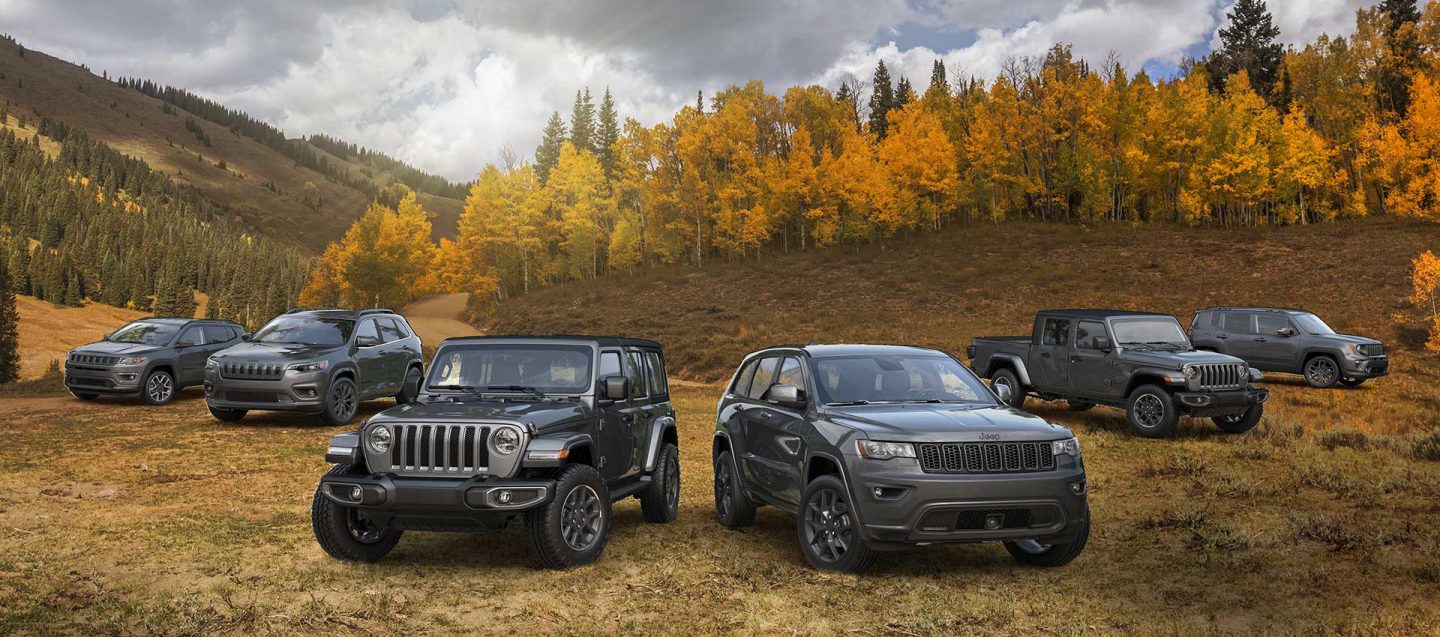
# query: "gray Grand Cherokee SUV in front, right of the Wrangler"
[885,447]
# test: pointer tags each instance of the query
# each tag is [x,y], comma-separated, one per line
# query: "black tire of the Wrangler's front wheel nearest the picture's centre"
[545,530]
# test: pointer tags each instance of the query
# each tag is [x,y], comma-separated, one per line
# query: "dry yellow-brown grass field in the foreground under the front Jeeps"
[116,518]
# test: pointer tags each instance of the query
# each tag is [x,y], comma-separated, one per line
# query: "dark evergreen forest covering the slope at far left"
[96,224]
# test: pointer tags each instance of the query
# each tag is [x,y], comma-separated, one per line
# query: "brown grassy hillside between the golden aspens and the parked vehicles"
[944,290]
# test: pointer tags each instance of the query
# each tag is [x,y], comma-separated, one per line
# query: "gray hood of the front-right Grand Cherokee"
[932,423]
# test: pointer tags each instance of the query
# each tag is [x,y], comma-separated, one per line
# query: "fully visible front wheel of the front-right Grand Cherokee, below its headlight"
[829,530]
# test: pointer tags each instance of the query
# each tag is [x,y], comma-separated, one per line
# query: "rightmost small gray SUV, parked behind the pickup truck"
[1290,342]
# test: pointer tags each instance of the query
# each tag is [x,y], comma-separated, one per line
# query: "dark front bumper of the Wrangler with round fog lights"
[473,504]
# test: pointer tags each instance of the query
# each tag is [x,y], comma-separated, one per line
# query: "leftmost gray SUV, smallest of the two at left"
[150,358]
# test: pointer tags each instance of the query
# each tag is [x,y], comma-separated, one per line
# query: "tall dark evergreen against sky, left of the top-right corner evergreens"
[1248,44]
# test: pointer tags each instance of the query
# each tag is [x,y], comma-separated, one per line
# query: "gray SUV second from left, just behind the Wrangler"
[322,361]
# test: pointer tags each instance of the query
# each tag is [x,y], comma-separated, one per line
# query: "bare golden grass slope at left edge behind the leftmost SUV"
[48,331]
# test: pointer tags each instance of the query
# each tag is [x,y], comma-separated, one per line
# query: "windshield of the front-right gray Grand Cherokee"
[921,378]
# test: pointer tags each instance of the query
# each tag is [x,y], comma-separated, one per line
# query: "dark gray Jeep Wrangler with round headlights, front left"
[546,432]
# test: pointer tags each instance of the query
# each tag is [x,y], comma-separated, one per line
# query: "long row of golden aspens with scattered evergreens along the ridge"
[1254,135]
